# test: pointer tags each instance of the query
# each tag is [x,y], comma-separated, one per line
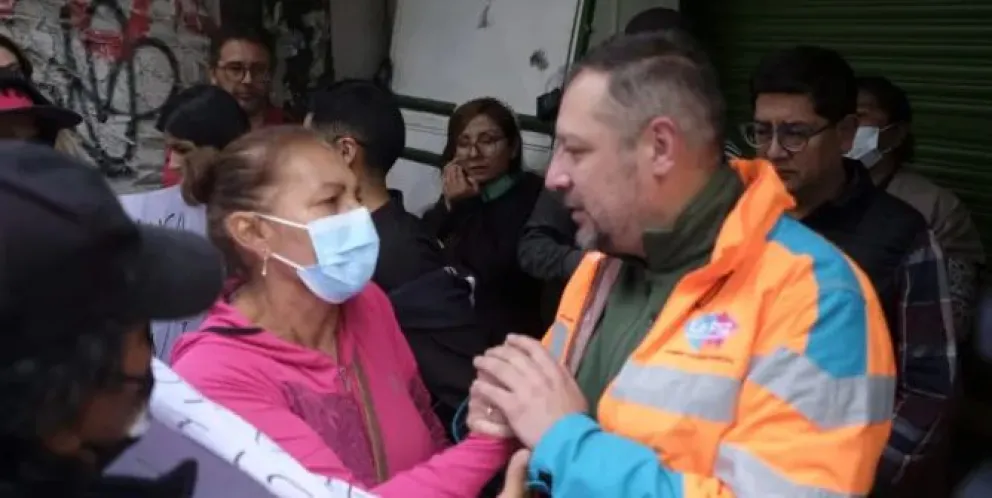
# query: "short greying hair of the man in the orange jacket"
[659,74]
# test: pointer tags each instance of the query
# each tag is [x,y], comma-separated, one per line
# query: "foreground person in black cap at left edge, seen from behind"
[79,283]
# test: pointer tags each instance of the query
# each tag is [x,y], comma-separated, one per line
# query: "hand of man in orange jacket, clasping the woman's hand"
[528,386]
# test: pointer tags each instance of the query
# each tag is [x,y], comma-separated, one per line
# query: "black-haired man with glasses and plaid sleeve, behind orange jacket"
[805,103]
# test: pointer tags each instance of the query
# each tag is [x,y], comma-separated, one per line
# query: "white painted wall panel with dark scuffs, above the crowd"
[457,50]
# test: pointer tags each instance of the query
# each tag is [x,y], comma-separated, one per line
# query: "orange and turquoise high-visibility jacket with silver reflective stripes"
[769,373]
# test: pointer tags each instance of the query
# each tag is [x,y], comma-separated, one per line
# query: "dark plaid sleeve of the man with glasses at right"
[926,361]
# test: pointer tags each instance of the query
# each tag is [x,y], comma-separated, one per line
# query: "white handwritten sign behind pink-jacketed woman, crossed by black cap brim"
[166,208]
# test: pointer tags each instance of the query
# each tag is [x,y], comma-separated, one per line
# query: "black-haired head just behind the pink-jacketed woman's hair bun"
[198,122]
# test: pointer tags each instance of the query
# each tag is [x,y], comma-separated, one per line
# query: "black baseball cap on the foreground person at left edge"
[68,250]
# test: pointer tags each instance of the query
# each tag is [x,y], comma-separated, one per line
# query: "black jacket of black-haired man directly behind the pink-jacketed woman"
[433,306]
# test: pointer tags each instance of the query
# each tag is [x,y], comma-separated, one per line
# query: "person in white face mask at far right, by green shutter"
[884,144]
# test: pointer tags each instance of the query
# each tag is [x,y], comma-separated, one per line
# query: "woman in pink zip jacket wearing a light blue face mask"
[304,347]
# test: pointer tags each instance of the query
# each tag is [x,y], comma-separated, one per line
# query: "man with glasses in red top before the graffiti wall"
[241,63]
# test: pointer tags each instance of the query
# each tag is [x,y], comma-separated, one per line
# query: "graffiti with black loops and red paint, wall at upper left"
[115,62]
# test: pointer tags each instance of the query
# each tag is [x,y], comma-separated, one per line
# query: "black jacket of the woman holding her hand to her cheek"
[481,238]
